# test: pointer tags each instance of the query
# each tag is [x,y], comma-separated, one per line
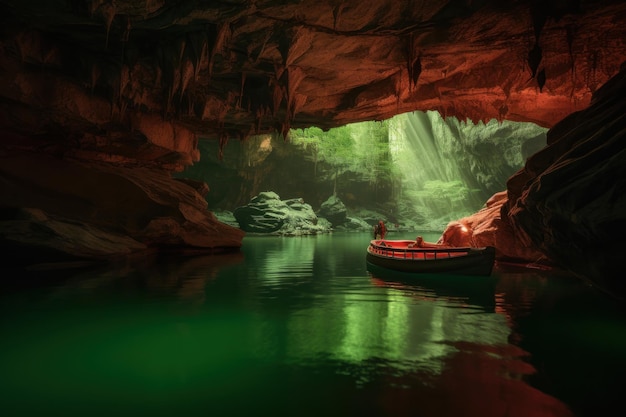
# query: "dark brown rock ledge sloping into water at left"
[83,210]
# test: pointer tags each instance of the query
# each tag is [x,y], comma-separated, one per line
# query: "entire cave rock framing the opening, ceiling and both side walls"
[101,100]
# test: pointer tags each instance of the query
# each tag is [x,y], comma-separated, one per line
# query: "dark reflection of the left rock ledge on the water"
[149,279]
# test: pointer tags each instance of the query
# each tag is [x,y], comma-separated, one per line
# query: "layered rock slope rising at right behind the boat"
[567,205]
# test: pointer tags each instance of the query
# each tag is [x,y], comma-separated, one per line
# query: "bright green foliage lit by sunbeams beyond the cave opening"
[376,152]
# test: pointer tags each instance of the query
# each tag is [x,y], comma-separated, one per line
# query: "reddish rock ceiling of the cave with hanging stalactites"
[102,71]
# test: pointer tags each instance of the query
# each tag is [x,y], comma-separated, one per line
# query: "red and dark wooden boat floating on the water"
[406,256]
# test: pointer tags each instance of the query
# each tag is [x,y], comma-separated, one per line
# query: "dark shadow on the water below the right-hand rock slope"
[574,333]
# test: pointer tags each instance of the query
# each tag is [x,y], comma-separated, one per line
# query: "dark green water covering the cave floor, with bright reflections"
[300,327]
